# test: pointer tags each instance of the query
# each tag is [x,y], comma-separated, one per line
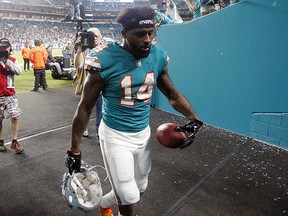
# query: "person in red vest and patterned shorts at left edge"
[8,100]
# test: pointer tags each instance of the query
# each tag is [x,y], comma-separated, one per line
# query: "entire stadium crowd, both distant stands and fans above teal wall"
[57,34]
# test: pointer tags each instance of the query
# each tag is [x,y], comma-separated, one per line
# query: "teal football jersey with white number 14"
[128,84]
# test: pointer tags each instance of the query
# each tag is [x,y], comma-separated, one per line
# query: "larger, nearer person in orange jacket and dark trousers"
[38,57]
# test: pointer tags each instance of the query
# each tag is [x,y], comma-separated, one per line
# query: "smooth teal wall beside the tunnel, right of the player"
[232,66]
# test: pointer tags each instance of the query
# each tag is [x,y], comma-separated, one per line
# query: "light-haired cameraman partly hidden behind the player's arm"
[88,40]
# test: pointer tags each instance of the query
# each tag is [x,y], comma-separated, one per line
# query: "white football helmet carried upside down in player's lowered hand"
[82,190]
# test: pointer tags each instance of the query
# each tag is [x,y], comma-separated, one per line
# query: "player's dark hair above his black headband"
[128,16]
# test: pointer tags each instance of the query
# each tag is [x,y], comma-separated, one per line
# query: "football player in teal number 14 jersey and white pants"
[126,74]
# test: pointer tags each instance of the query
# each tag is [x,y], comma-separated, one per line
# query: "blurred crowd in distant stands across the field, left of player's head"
[52,33]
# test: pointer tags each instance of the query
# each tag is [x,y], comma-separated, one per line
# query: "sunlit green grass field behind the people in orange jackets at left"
[25,81]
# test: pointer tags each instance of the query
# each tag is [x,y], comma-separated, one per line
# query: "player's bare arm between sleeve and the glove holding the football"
[175,98]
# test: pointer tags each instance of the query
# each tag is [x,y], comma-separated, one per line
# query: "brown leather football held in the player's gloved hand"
[167,135]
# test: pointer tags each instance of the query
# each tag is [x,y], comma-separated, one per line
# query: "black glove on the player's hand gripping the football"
[191,129]
